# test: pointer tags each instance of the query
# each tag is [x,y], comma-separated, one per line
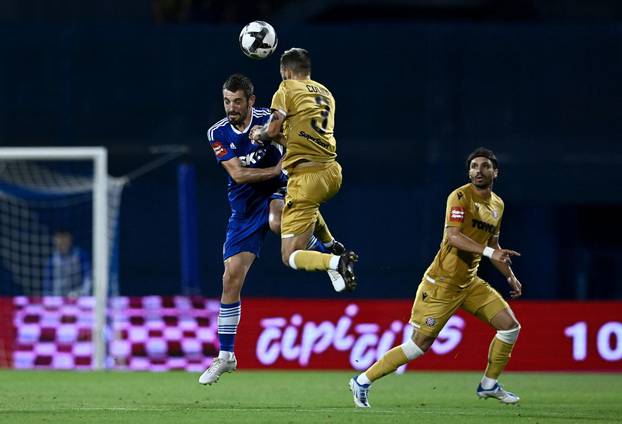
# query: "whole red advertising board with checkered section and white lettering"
[162,333]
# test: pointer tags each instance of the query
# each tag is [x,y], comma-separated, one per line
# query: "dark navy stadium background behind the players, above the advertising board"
[418,85]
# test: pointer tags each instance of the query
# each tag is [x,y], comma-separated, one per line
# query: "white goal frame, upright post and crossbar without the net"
[100,236]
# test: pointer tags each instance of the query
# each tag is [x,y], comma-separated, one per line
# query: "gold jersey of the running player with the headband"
[479,219]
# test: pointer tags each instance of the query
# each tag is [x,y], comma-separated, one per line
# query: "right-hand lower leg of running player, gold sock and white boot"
[499,354]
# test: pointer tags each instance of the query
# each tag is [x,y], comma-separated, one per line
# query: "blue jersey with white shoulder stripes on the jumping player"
[228,142]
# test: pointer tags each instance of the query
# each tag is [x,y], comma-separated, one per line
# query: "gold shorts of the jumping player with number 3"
[307,188]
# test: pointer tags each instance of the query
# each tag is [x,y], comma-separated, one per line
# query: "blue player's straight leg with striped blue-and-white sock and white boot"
[236,268]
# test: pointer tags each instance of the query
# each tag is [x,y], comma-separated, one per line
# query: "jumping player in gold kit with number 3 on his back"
[305,111]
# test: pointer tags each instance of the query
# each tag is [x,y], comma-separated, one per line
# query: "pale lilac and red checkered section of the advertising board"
[144,333]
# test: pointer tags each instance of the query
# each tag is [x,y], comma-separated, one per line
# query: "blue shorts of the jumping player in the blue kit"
[248,233]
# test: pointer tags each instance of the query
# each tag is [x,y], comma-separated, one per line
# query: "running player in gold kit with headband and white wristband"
[472,223]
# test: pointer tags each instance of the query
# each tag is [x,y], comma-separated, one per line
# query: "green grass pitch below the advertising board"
[301,397]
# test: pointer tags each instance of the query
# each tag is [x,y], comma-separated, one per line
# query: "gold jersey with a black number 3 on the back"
[309,110]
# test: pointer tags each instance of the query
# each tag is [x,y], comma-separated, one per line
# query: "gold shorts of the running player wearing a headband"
[436,302]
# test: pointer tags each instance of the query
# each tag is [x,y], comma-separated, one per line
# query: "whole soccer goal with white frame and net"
[59,212]
